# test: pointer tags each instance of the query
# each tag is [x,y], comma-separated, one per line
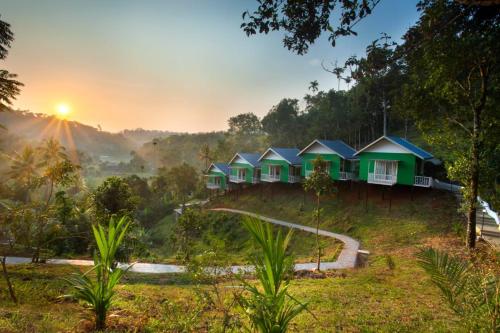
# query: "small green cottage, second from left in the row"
[244,168]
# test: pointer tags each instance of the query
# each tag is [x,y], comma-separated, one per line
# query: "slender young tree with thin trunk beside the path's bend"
[321,184]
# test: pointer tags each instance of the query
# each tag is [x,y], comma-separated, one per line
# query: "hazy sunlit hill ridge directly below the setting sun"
[35,127]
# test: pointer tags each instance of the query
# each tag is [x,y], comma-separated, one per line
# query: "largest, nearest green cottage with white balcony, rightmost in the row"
[392,160]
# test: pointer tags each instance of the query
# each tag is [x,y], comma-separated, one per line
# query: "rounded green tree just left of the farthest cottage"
[182,180]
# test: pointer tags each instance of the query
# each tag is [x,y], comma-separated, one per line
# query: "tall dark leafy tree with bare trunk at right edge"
[454,88]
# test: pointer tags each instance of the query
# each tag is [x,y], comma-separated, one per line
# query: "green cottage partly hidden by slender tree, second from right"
[340,159]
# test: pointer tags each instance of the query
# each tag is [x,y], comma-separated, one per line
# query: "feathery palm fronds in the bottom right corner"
[474,295]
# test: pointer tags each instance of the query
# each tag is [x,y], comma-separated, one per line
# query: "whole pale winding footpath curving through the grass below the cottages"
[346,259]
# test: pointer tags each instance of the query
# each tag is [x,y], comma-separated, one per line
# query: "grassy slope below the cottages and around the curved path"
[369,299]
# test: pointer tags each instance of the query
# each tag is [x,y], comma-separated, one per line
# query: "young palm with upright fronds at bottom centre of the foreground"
[270,308]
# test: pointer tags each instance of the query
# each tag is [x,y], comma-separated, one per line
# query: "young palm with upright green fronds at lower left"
[98,292]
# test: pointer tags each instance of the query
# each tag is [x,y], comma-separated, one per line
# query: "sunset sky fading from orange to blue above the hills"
[183,66]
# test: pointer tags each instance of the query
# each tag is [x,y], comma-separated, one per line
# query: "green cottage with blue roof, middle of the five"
[281,165]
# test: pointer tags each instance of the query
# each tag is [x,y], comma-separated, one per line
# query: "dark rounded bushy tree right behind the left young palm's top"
[114,197]
